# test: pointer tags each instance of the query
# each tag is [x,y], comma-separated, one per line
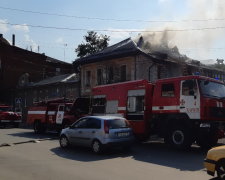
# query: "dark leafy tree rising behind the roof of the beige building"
[94,43]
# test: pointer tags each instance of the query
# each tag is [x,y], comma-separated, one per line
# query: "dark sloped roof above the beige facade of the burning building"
[122,49]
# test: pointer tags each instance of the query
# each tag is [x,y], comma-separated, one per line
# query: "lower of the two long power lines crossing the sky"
[114,31]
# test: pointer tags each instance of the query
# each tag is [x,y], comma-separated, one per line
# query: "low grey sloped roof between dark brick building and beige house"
[65,78]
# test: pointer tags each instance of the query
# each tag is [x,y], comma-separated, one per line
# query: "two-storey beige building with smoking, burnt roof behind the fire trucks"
[127,61]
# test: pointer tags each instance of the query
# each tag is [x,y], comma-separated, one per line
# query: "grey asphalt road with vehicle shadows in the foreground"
[31,156]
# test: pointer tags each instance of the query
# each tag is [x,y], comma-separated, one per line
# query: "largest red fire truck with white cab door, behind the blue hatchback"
[182,110]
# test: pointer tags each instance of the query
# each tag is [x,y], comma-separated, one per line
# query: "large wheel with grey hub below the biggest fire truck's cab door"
[180,138]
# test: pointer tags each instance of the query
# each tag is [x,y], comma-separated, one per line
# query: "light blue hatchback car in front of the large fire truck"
[98,132]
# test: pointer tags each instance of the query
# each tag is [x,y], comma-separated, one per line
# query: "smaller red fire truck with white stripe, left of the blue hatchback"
[56,114]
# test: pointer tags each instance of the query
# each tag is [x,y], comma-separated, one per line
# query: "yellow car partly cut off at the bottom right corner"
[215,162]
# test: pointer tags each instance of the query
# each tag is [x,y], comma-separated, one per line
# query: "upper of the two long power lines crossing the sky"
[111,19]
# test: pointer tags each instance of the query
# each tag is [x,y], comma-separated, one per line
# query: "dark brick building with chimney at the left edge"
[20,67]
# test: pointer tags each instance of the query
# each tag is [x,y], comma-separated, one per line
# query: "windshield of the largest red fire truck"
[212,89]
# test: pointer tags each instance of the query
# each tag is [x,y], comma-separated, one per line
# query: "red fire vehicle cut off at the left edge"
[8,117]
